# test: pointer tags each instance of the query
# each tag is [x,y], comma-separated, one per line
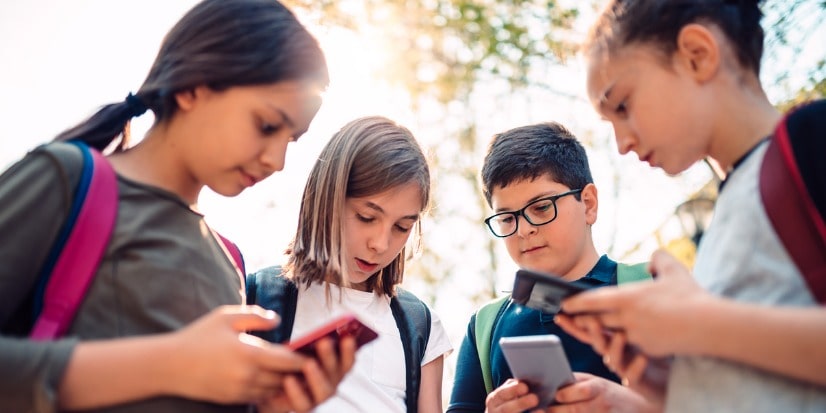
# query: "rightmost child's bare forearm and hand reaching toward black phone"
[782,340]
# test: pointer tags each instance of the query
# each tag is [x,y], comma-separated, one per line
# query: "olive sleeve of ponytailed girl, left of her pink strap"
[34,201]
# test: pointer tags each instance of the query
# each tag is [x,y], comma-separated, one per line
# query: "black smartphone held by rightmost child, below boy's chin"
[543,292]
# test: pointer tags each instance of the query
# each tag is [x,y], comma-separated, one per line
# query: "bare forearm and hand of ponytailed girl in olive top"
[229,367]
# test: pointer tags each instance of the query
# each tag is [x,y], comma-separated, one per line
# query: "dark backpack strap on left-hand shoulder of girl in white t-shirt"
[269,289]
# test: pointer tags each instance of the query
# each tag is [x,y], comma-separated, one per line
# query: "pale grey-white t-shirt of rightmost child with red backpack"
[741,257]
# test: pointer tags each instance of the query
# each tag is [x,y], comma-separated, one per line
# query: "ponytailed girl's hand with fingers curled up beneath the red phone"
[319,380]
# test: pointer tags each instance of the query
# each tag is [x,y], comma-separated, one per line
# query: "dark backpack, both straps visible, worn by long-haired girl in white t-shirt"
[269,289]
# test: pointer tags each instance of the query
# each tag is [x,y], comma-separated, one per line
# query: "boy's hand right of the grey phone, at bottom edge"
[590,393]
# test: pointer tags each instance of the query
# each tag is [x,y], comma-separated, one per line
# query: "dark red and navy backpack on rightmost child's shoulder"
[793,190]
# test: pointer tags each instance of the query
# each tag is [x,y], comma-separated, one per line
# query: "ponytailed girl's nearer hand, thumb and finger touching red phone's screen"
[216,361]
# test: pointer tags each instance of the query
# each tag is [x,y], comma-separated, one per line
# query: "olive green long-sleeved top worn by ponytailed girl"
[162,269]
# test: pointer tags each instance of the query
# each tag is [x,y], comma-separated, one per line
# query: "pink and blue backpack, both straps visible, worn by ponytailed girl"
[76,253]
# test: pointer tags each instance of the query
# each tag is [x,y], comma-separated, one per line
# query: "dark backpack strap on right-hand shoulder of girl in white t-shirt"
[413,320]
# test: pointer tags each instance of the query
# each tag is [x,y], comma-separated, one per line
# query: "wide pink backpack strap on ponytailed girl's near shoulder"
[81,254]
